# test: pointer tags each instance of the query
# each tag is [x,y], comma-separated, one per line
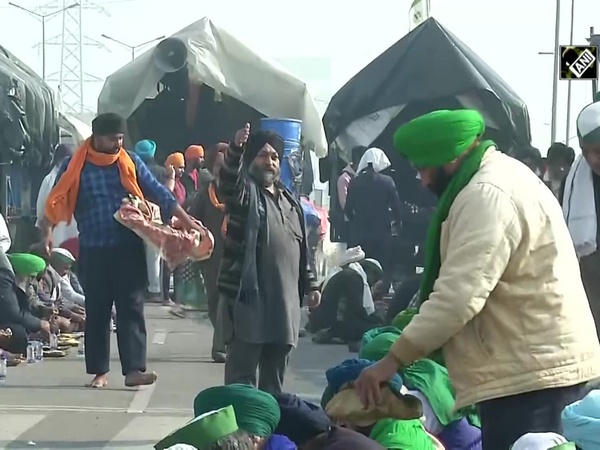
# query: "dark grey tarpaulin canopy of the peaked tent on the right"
[427,69]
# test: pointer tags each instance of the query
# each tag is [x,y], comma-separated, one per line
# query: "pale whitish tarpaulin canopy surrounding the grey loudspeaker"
[220,61]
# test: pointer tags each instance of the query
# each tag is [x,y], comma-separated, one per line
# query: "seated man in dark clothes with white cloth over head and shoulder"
[347,308]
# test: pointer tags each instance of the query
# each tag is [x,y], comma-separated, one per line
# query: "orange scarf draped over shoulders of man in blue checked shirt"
[61,202]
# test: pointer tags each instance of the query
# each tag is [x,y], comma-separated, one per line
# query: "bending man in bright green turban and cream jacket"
[501,292]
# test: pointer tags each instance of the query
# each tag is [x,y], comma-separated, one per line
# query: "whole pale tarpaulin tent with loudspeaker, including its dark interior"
[221,85]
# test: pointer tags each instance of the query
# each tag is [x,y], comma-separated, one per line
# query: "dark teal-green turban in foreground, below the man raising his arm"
[257,412]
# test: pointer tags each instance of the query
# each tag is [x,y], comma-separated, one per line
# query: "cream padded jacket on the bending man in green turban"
[508,308]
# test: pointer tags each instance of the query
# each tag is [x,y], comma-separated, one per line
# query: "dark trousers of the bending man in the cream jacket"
[504,420]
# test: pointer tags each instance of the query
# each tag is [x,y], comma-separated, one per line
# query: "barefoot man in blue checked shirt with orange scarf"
[90,187]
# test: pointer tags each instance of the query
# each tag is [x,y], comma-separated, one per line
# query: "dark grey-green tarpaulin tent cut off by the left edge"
[28,115]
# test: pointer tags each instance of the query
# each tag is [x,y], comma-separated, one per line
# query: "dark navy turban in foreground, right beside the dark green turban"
[300,421]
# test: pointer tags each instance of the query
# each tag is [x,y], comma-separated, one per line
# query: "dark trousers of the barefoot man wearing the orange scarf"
[114,275]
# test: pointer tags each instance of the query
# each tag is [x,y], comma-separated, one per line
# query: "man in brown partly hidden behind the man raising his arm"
[208,208]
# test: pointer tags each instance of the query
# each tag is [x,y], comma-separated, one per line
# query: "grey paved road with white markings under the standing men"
[45,406]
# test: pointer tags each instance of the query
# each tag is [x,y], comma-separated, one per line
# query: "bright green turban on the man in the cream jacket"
[439,137]
